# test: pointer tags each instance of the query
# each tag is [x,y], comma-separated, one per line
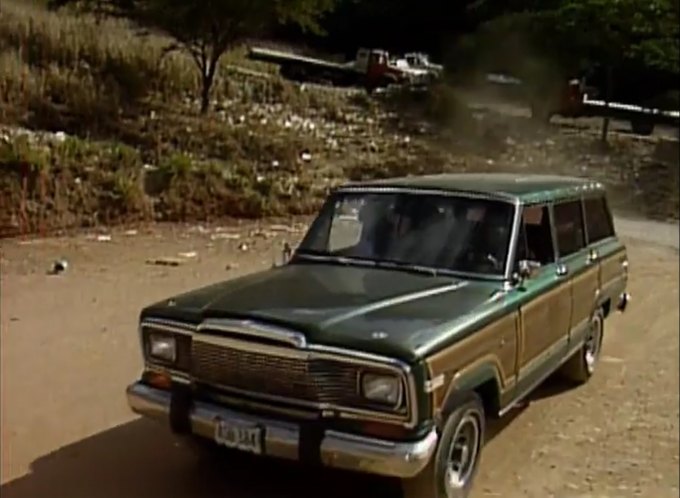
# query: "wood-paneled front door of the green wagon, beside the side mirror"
[544,300]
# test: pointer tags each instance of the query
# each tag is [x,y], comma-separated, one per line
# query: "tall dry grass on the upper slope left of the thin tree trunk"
[83,65]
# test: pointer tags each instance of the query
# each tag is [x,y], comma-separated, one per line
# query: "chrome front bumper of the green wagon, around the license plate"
[282,439]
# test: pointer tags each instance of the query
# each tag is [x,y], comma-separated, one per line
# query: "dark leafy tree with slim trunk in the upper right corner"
[576,34]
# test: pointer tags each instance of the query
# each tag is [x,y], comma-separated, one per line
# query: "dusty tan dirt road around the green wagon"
[69,347]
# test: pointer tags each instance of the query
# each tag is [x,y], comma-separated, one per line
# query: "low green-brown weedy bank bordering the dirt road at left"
[61,184]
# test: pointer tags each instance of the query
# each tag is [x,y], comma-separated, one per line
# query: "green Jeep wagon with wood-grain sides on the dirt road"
[413,309]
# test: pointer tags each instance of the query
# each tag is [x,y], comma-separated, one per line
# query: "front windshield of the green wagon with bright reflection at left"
[455,234]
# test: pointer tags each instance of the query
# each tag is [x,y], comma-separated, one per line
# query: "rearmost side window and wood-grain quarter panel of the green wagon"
[605,249]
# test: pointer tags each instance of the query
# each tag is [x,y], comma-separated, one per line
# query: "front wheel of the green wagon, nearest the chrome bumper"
[432,481]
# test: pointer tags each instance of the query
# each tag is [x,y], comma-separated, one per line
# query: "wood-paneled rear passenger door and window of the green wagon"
[578,265]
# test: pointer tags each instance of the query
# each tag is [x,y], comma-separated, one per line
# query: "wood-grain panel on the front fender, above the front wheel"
[495,344]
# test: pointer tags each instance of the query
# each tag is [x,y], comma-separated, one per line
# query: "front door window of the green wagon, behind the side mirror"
[535,237]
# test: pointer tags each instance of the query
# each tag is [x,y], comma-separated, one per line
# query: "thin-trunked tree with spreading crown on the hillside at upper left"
[206,29]
